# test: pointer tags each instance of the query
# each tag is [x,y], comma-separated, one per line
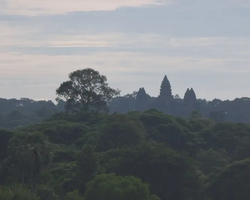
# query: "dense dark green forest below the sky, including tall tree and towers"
[79,150]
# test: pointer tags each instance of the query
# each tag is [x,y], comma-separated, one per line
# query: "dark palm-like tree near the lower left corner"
[28,155]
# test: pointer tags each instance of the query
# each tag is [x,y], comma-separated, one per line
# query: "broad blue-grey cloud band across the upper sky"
[180,19]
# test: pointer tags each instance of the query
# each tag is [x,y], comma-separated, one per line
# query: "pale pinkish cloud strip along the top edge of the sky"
[52,7]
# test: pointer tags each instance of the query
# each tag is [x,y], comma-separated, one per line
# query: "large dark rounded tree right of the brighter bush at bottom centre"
[170,174]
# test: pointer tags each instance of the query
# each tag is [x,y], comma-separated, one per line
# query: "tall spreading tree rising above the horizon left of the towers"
[86,89]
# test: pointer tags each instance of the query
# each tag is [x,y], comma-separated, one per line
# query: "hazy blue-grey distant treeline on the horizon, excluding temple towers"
[16,113]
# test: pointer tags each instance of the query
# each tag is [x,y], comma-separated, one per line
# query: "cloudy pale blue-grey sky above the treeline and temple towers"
[196,43]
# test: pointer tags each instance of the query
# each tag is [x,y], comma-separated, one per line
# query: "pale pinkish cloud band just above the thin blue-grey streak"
[12,37]
